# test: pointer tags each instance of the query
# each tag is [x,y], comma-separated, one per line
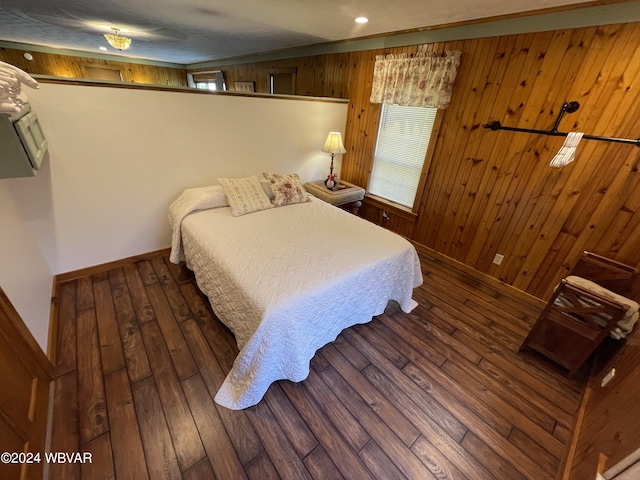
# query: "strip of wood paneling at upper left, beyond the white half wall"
[72,67]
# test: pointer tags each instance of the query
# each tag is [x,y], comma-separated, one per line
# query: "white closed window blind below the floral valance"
[401,148]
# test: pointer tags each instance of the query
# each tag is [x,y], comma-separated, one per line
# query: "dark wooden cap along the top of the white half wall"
[165,88]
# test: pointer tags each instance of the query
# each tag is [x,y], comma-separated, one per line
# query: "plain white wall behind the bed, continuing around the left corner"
[117,159]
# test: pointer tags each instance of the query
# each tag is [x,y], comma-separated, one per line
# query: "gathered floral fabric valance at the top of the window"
[419,80]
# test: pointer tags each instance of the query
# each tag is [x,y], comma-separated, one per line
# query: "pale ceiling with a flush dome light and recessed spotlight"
[191,31]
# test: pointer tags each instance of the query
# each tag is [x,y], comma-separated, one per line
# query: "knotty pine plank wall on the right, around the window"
[491,192]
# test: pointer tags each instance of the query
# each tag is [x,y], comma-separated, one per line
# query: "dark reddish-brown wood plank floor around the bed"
[438,393]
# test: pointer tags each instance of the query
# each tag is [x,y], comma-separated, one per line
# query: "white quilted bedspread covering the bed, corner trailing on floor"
[287,280]
